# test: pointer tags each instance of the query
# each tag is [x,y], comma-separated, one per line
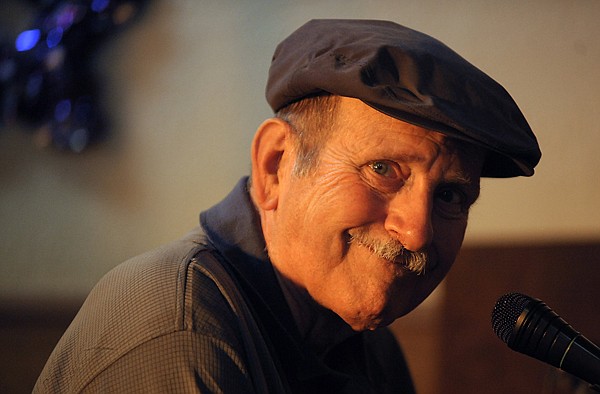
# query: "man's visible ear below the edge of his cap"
[268,147]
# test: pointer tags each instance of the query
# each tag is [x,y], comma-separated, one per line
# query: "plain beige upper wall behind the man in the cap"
[185,92]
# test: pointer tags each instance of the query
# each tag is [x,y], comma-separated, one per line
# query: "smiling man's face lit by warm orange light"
[387,181]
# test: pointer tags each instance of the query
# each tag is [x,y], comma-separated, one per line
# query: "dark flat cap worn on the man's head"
[407,75]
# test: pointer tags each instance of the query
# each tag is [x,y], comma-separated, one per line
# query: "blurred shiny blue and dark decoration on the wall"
[46,78]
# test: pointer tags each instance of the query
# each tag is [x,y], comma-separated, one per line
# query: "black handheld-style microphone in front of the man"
[529,326]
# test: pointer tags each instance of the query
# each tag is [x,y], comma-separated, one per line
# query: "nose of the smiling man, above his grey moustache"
[409,218]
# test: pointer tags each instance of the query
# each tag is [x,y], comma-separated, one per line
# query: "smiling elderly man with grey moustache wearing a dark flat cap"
[356,209]
